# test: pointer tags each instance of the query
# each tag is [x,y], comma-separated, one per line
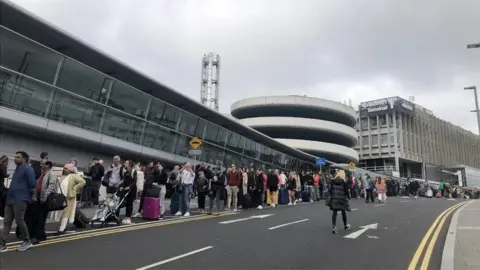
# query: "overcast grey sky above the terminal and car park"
[340,50]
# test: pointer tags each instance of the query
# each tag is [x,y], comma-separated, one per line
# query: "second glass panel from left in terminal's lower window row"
[76,111]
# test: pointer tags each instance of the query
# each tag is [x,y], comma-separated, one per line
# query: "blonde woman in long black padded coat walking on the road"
[338,190]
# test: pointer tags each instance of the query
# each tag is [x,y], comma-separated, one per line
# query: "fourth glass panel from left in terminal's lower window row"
[159,138]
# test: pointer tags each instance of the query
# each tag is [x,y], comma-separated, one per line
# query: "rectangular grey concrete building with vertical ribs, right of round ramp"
[405,139]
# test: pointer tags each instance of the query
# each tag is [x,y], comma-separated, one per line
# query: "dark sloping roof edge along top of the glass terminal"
[30,26]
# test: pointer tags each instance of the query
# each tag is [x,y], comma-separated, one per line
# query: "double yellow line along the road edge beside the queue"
[107,231]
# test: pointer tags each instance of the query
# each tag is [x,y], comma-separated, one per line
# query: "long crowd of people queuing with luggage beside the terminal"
[35,190]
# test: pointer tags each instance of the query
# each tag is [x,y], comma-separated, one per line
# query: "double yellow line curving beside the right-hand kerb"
[436,232]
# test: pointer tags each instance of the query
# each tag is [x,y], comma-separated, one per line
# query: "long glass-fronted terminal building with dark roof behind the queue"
[62,96]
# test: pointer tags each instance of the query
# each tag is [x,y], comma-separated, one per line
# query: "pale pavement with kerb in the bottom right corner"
[462,246]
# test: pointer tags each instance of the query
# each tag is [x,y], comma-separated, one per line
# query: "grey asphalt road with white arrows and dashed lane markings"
[256,243]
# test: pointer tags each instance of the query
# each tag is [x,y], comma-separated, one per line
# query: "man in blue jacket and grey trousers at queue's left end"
[18,197]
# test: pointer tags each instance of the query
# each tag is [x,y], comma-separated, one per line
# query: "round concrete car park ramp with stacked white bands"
[317,126]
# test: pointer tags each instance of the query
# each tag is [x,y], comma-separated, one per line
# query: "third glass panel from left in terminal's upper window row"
[128,99]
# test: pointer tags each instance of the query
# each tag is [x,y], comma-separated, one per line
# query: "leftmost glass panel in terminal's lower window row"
[23,94]
